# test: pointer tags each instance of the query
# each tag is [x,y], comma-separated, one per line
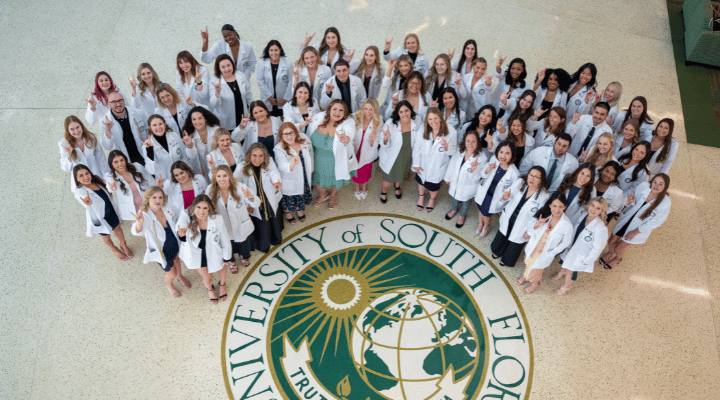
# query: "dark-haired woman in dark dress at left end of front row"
[100,210]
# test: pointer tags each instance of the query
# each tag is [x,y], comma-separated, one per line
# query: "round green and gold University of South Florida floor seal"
[376,307]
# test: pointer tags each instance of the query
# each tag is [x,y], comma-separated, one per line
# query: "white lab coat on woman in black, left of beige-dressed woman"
[526,213]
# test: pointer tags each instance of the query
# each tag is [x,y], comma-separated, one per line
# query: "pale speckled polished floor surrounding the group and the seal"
[78,323]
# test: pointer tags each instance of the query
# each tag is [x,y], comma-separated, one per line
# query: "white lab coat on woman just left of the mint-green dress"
[294,181]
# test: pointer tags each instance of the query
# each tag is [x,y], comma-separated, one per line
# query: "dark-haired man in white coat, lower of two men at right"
[556,161]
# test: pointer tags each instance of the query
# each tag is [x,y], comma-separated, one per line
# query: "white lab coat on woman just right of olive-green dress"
[431,156]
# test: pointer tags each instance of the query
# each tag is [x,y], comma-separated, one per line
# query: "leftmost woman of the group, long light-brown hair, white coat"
[80,146]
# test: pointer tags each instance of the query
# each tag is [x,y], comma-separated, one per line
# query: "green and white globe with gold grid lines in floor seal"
[406,342]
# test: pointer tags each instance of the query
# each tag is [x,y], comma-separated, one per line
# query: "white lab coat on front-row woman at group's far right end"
[654,220]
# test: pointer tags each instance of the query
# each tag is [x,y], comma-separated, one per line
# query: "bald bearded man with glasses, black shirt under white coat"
[125,129]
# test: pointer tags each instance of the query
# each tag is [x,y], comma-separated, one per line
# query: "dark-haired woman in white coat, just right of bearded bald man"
[163,147]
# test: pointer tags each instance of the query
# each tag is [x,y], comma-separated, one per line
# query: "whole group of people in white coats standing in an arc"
[204,171]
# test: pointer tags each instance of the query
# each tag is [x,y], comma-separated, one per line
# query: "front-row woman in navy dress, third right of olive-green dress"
[498,174]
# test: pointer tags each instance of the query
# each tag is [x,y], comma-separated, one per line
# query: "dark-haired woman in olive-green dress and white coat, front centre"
[399,134]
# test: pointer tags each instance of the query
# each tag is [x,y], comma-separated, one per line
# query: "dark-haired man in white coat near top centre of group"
[345,87]
